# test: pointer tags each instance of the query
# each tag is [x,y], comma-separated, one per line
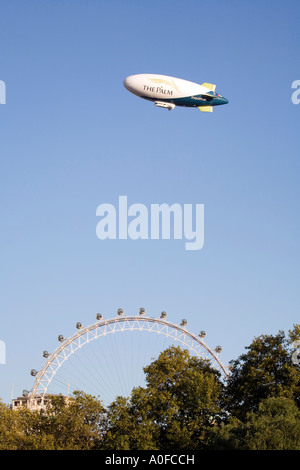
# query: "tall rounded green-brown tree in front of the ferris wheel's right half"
[180,400]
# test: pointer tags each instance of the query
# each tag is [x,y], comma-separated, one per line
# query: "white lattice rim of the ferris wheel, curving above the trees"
[44,380]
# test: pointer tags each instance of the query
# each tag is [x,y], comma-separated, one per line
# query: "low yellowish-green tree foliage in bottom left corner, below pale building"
[76,424]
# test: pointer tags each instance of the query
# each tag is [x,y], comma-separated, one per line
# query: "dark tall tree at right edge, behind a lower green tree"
[266,370]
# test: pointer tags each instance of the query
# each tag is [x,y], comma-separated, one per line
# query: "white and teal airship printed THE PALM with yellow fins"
[168,92]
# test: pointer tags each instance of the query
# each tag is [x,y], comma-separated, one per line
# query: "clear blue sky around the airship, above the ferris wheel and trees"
[72,138]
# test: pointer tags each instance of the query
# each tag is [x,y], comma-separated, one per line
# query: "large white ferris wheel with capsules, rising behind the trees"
[105,366]
